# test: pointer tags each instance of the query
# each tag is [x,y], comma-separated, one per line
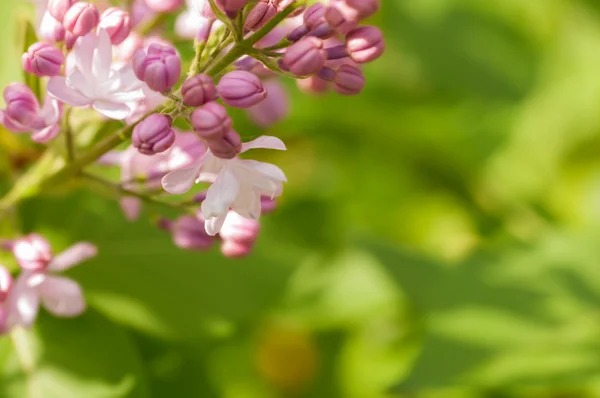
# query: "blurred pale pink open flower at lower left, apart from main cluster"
[38,283]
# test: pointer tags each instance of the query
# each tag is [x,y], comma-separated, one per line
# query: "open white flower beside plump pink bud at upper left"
[95,81]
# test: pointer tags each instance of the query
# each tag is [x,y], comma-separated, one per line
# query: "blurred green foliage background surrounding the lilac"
[439,235]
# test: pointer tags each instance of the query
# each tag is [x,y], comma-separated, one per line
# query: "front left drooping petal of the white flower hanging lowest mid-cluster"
[221,194]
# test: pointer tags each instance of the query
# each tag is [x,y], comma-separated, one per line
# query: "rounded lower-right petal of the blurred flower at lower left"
[62,296]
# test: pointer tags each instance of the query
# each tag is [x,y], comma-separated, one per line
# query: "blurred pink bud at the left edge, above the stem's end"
[22,107]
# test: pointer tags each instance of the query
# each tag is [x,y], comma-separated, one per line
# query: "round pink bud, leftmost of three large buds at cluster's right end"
[305,57]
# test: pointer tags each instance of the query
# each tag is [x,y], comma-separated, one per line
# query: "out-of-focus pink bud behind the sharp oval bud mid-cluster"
[274,108]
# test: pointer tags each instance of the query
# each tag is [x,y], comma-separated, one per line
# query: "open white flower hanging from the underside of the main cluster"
[237,184]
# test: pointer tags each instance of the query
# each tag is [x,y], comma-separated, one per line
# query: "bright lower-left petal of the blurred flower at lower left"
[23,302]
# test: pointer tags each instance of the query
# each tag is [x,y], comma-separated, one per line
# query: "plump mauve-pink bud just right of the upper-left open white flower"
[159,67]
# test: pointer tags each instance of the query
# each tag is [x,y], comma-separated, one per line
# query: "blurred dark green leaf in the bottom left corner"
[86,356]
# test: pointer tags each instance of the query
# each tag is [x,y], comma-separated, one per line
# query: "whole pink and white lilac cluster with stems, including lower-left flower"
[114,61]
